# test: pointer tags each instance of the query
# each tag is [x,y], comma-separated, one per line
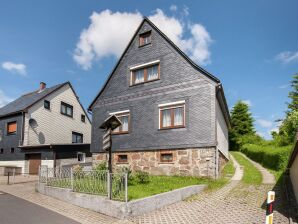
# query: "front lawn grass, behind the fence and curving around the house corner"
[156,185]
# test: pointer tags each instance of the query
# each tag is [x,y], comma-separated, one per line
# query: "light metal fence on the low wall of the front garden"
[86,180]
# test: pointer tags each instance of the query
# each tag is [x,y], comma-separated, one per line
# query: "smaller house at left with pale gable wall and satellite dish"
[45,127]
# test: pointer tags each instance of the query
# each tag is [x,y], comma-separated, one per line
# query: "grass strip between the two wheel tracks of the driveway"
[251,174]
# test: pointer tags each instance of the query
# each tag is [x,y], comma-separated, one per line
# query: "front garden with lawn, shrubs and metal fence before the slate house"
[126,185]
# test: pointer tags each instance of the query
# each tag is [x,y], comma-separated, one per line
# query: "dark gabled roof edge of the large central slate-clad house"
[197,67]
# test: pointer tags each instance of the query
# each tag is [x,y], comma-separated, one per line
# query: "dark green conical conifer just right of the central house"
[241,125]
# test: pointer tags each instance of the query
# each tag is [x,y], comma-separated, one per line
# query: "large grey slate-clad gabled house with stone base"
[174,114]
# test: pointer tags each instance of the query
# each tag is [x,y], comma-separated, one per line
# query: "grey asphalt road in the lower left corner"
[14,210]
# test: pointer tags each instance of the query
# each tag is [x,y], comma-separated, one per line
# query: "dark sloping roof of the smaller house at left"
[27,100]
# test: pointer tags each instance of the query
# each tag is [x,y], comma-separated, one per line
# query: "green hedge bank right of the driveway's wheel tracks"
[270,156]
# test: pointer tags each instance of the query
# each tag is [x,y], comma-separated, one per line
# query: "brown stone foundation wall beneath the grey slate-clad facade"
[188,162]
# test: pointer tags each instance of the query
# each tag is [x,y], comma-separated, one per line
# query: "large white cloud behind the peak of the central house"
[103,37]
